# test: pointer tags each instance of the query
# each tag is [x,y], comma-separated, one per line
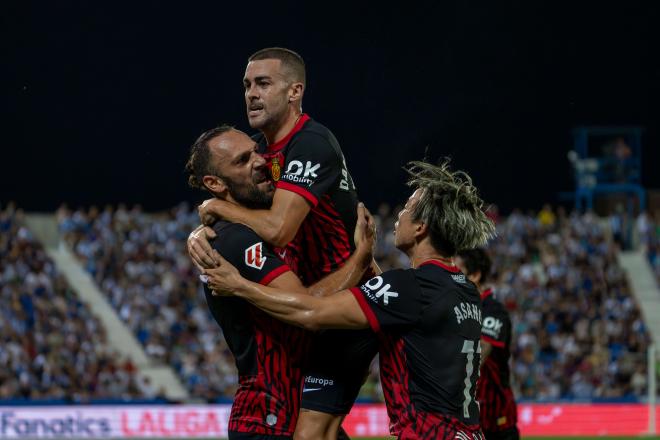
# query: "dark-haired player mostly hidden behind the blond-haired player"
[498,407]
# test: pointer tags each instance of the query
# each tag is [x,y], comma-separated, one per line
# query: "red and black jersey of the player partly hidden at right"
[496,400]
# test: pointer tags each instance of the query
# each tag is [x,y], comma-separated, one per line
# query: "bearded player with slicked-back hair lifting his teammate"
[269,354]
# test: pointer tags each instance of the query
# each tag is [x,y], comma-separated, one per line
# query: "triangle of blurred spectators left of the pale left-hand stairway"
[52,346]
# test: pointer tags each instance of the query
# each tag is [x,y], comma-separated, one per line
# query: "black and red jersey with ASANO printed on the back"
[429,323]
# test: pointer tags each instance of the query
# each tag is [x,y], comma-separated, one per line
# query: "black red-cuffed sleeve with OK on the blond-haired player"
[390,299]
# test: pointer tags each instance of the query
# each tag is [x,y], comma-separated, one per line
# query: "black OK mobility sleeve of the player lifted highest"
[312,168]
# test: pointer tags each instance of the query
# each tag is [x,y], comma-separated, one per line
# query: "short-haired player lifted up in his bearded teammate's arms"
[310,221]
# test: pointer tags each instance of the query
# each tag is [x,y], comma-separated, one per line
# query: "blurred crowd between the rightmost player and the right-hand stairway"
[578,330]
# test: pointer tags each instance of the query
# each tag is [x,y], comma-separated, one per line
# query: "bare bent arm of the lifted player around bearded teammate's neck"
[277,225]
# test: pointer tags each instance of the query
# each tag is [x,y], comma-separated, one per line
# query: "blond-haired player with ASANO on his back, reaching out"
[428,317]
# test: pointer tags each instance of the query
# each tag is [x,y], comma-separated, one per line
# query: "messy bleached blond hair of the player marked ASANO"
[450,206]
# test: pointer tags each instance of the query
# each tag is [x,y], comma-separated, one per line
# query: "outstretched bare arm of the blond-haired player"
[336,311]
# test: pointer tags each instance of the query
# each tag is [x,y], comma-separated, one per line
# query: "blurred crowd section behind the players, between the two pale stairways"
[578,332]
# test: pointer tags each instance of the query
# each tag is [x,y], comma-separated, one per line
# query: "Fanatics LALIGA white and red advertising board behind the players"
[210,421]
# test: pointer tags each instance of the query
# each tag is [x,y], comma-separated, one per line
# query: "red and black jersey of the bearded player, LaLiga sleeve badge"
[269,353]
